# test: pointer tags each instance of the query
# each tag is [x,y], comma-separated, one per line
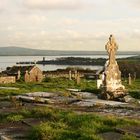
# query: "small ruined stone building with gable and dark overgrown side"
[27,73]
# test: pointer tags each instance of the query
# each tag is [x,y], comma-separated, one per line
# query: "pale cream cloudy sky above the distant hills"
[70,24]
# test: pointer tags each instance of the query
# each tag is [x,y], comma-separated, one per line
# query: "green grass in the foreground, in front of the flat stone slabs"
[67,125]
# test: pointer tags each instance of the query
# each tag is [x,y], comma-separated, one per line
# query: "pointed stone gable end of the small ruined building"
[34,75]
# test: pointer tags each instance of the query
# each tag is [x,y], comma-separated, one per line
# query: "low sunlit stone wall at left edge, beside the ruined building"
[7,79]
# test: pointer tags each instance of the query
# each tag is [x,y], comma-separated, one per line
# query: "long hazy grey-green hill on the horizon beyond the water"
[18,51]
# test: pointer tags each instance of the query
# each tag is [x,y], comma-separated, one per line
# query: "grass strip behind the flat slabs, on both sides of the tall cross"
[61,84]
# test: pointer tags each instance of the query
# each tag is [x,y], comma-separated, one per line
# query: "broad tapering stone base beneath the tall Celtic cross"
[112,86]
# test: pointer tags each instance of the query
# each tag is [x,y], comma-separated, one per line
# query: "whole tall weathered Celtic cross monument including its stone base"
[112,88]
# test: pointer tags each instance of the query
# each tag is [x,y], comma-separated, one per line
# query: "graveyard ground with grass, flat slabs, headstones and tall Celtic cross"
[73,107]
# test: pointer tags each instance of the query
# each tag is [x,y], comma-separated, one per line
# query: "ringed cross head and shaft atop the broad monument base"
[111,48]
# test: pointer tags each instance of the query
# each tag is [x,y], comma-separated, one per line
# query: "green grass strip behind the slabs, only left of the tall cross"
[52,85]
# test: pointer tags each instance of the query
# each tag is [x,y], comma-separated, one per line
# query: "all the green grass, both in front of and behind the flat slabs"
[67,125]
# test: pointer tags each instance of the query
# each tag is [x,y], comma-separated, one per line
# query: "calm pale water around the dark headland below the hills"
[6,61]
